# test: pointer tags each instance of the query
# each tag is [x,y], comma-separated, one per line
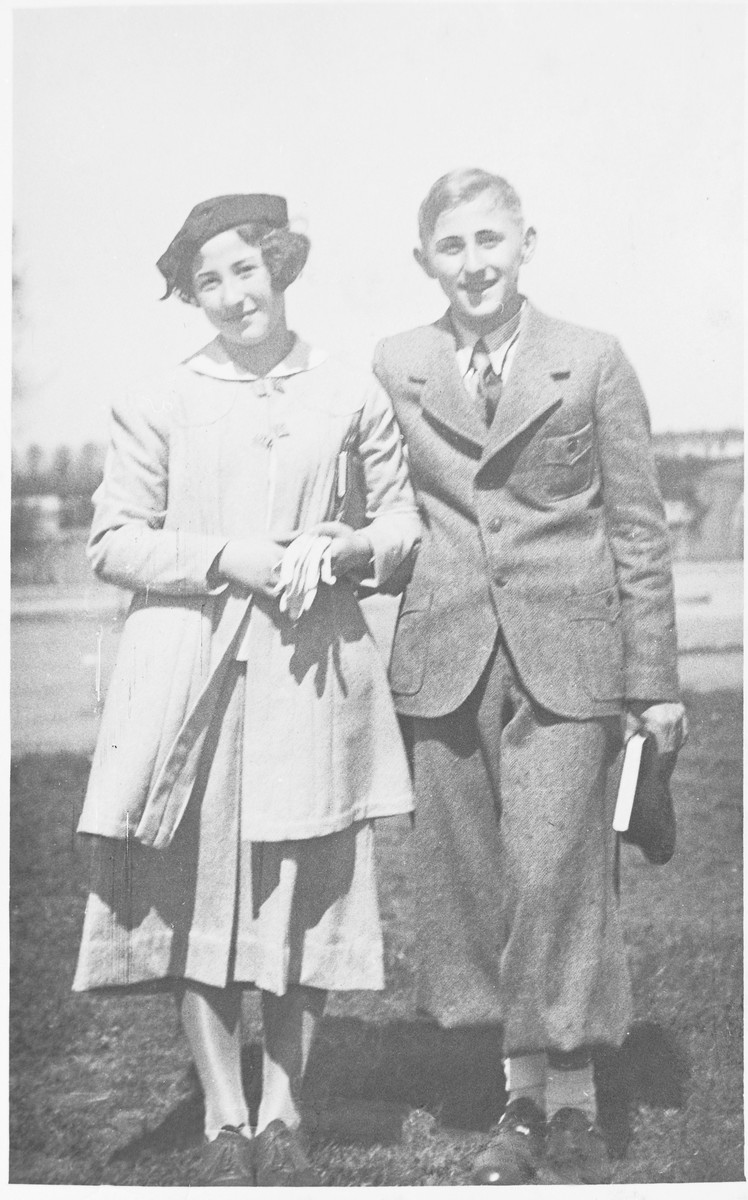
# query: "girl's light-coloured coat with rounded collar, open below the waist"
[199,458]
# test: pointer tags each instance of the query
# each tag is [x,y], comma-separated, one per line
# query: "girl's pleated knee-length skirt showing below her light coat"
[217,910]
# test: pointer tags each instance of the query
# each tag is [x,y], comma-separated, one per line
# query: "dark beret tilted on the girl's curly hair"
[216,217]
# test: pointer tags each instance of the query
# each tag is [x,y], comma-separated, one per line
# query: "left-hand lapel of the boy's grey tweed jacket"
[442,393]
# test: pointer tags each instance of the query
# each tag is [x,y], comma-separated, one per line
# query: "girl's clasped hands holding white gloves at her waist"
[256,563]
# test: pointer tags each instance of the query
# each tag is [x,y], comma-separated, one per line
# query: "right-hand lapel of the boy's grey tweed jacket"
[536,385]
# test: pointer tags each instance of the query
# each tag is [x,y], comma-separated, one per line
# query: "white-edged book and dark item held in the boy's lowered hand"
[644,814]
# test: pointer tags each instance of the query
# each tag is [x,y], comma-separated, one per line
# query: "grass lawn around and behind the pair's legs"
[103,1090]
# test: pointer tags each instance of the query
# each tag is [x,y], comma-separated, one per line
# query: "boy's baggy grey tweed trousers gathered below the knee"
[513,861]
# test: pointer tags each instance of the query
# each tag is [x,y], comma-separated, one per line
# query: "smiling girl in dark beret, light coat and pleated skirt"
[248,740]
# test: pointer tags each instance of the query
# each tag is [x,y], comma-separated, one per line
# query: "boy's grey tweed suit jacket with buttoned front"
[549,526]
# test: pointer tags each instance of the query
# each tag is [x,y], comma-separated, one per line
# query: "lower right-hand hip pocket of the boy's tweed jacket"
[596,621]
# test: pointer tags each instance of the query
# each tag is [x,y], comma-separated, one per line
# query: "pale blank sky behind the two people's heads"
[621,125]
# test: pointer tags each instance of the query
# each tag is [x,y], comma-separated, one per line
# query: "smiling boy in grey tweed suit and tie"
[540,615]
